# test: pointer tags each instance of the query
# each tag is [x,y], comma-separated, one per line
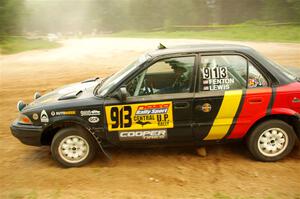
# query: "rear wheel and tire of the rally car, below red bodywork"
[271,140]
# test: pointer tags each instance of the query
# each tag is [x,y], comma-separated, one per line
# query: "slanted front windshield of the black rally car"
[118,76]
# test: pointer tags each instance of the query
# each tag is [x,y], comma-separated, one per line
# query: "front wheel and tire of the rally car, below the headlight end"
[73,147]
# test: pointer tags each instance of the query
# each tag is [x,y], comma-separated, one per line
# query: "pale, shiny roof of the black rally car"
[193,48]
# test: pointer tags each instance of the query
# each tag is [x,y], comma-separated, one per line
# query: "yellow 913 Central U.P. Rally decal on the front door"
[157,115]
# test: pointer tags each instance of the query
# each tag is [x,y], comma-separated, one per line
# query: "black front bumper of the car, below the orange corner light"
[27,134]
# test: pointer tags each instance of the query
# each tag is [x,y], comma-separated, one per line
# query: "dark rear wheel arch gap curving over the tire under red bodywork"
[292,120]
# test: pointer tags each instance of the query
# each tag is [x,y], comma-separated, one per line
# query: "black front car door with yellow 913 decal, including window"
[158,109]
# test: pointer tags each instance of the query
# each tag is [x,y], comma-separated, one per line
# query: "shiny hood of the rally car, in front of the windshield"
[66,93]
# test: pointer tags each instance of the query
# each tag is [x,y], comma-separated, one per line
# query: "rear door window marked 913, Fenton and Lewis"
[223,72]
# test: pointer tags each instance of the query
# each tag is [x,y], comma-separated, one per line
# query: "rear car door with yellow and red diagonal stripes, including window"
[226,90]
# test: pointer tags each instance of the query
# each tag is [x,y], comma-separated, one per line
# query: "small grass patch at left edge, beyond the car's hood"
[20,44]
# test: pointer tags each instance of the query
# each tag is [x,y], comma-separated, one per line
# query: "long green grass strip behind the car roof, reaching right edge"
[280,33]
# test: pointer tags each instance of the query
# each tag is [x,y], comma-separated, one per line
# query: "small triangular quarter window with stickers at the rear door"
[255,78]
